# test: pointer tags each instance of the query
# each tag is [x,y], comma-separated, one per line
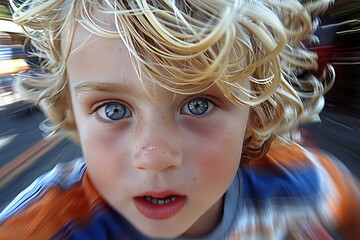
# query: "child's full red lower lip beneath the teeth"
[159,212]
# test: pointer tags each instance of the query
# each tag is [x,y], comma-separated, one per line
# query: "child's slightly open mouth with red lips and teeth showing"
[159,208]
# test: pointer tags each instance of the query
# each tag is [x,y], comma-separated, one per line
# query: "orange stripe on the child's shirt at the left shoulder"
[46,216]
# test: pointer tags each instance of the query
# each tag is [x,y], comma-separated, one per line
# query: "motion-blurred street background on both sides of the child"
[25,154]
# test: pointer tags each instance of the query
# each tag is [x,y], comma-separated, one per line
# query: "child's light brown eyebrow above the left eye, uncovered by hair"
[86,87]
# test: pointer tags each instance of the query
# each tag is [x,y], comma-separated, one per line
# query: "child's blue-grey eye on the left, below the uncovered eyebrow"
[114,111]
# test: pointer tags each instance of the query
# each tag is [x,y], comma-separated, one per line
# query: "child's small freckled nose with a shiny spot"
[158,146]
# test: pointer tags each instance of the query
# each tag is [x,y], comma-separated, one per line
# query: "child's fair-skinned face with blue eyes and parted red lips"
[164,164]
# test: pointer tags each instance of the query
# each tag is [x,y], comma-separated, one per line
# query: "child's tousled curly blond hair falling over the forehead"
[197,44]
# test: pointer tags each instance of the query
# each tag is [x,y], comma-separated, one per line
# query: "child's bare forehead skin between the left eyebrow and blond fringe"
[95,59]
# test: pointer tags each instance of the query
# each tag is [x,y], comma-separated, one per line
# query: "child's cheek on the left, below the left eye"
[107,162]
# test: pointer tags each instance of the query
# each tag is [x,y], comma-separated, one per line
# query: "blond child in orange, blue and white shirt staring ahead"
[185,112]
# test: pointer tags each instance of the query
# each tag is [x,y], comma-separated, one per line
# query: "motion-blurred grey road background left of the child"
[24,153]
